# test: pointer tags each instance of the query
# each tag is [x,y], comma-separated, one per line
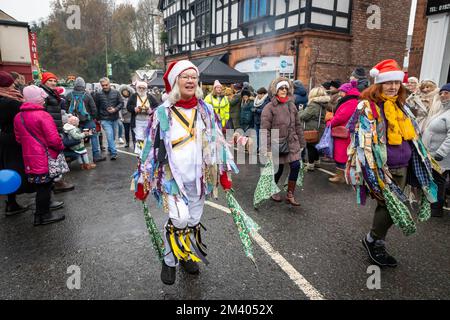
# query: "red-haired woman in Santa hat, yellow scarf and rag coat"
[385,154]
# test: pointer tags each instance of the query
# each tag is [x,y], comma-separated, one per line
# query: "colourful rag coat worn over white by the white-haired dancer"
[156,172]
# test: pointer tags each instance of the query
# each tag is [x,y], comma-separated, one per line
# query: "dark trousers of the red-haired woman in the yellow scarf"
[382,220]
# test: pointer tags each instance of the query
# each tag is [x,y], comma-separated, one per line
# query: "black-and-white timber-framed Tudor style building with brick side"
[310,40]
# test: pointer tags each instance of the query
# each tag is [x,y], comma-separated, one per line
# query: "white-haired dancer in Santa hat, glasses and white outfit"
[184,158]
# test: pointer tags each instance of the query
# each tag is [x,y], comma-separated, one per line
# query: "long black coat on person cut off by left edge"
[10,151]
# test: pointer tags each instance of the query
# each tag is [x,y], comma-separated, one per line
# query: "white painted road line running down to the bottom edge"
[295,276]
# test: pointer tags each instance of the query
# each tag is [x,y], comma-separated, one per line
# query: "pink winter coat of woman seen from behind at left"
[41,124]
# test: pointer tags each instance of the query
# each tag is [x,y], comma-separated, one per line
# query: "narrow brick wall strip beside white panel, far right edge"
[418,41]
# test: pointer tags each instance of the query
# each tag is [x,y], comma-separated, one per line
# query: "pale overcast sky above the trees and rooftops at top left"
[26,10]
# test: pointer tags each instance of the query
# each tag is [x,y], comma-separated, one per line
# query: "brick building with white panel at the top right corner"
[430,49]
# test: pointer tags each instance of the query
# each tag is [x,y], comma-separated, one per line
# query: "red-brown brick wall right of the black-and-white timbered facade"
[337,58]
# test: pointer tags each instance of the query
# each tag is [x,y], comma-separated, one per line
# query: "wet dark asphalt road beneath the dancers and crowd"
[307,252]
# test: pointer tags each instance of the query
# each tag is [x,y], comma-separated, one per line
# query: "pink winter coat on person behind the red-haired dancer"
[343,114]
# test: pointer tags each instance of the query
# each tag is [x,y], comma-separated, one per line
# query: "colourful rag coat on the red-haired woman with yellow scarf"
[368,172]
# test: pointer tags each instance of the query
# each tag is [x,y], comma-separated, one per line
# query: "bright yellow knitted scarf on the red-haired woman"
[400,126]
